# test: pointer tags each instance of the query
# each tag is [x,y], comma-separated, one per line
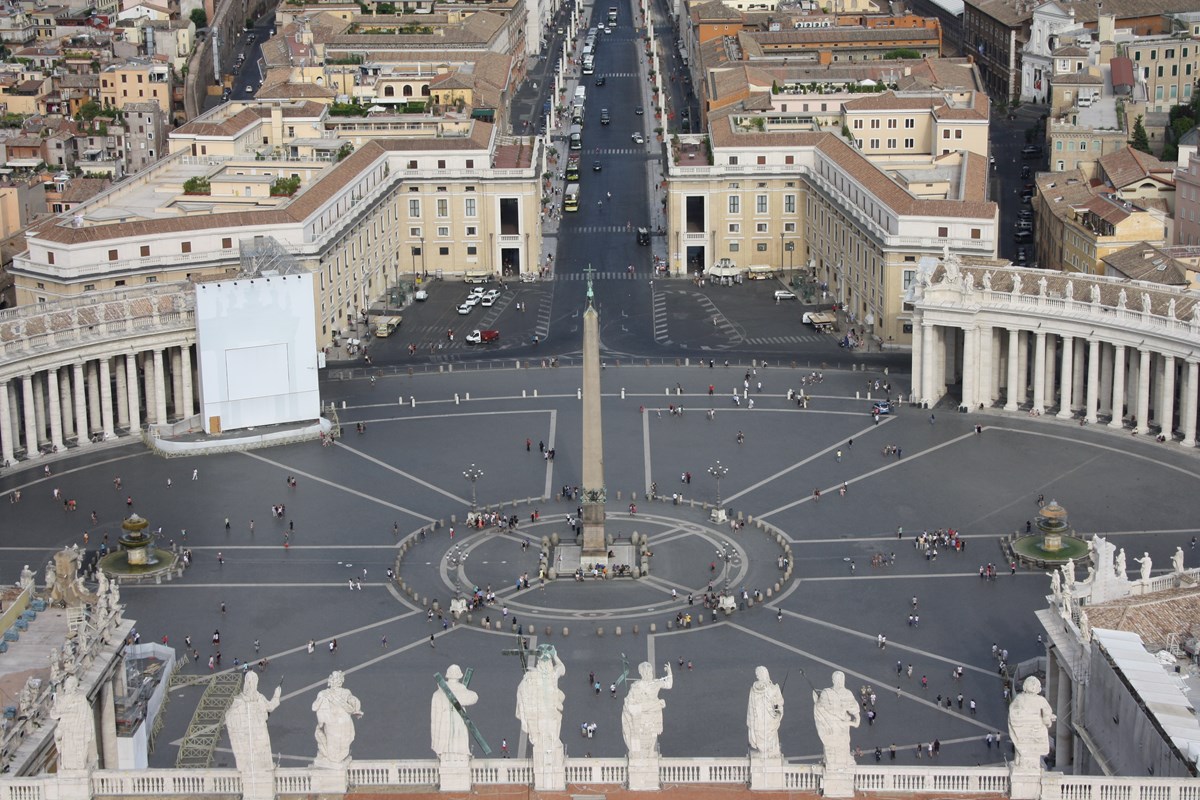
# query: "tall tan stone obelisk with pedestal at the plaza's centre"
[596,550]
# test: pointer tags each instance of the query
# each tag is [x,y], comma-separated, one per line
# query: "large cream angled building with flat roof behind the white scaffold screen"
[453,197]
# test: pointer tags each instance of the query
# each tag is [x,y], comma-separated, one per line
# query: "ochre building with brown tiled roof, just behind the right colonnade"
[1079,226]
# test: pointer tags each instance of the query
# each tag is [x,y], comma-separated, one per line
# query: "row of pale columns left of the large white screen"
[94,400]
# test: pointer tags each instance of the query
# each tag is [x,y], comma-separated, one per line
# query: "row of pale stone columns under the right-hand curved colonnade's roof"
[1043,372]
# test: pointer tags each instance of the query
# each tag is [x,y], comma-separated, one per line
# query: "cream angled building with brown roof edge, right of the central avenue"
[781,193]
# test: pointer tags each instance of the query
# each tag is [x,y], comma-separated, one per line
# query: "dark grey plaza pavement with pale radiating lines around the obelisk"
[407,471]
